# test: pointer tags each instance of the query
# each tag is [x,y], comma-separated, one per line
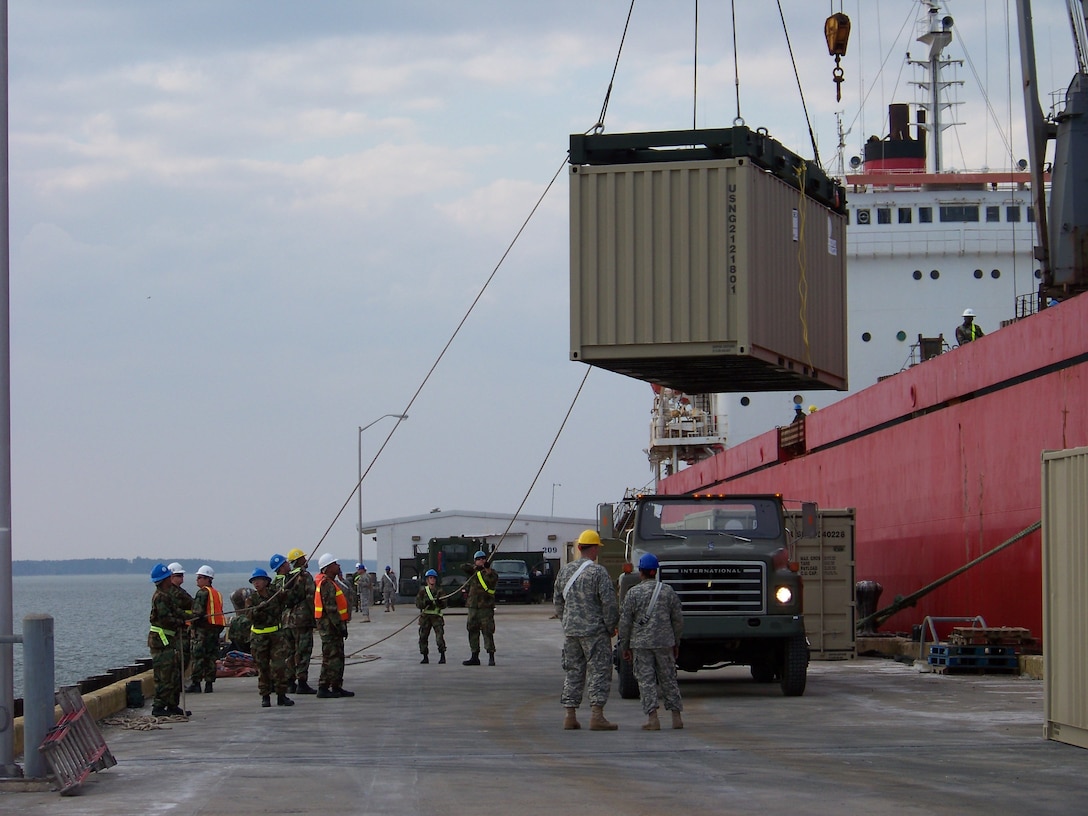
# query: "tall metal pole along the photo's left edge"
[8,768]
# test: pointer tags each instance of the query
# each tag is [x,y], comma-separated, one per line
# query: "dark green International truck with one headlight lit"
[730,560]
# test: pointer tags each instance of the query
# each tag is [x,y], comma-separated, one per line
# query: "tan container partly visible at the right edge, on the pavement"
[1066,596]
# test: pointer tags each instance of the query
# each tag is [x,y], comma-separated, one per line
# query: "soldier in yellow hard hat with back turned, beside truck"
[586,603]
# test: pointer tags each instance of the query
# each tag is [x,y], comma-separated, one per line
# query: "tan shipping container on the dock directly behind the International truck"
[827,570]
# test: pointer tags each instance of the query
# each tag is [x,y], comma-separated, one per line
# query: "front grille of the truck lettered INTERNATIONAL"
[718,588]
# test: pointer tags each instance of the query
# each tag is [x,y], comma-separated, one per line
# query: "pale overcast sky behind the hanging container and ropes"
[240,231]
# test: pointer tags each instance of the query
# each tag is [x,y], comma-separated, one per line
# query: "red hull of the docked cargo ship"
[943,464]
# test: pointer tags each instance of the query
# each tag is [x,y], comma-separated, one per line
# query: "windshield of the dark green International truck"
[682,520]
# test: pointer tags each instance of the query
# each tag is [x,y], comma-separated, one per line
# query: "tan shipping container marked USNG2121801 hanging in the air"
[711,276]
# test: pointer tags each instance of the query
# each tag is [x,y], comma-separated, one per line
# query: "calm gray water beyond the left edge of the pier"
[100,623]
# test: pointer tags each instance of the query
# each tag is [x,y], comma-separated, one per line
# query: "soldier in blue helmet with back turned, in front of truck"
[651,624]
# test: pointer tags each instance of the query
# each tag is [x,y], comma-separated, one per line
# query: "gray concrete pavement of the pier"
[869,737]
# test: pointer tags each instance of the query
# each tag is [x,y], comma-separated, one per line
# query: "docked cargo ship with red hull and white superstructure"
[936,447]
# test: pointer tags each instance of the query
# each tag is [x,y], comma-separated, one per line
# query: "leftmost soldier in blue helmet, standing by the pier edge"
[169,616]
